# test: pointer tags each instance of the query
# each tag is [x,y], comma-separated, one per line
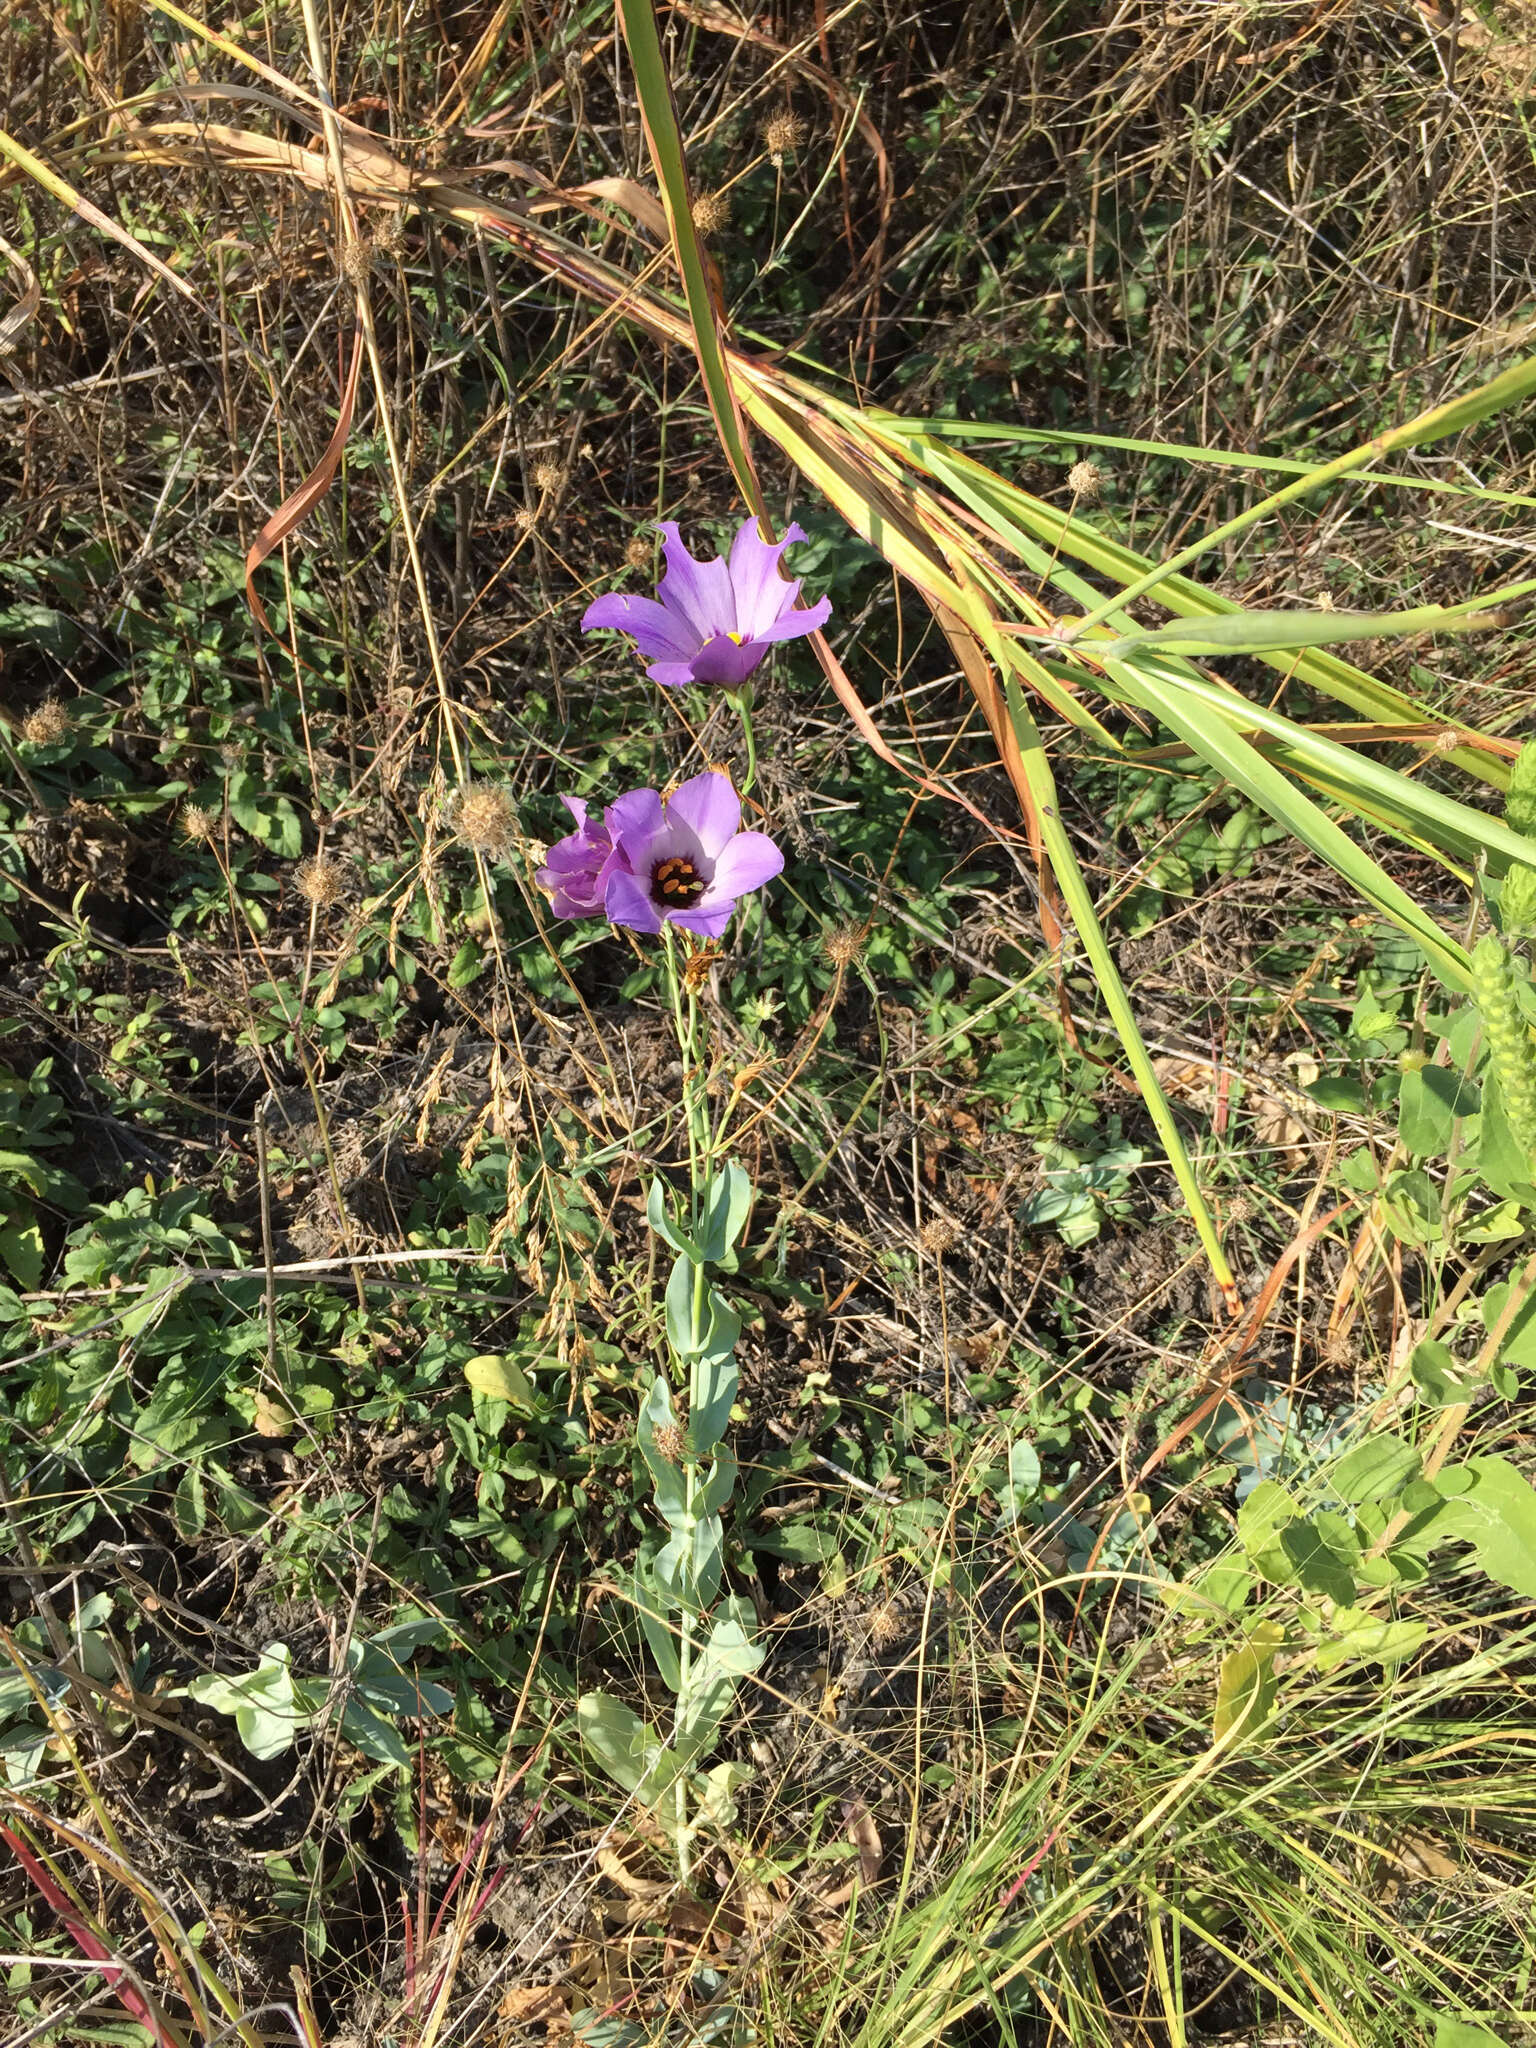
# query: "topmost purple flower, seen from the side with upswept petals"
[716,620]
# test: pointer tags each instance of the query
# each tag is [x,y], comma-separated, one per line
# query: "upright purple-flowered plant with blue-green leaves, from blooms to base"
[675,869]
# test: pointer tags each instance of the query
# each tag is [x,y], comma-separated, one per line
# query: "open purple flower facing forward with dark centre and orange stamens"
[685,861]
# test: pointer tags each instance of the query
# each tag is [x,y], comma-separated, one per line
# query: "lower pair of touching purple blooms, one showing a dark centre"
[663,861]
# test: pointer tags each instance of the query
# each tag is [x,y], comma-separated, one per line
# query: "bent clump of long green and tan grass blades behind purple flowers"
[1039,605]
